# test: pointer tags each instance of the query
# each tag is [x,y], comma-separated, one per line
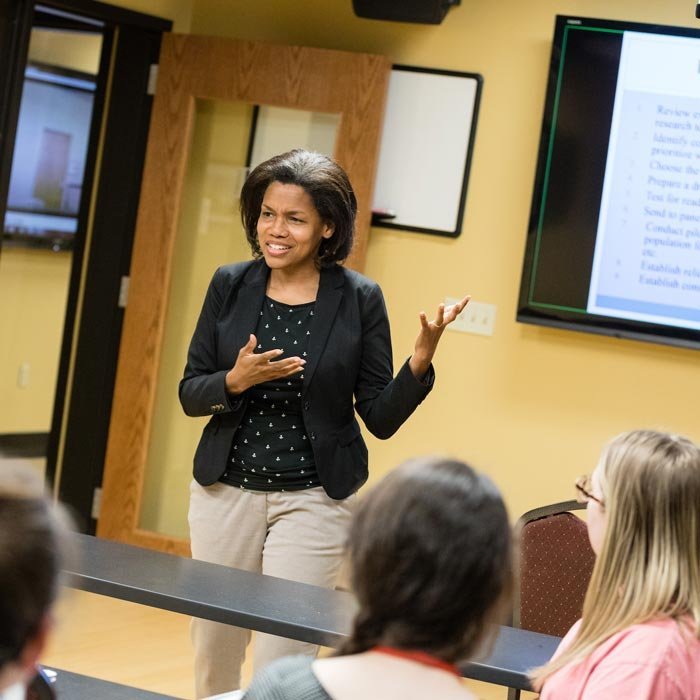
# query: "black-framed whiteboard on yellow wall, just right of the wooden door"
[425,150]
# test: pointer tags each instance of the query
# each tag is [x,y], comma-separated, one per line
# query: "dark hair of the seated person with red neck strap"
[431,559]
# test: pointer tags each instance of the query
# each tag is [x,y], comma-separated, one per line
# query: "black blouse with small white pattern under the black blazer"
[271,451]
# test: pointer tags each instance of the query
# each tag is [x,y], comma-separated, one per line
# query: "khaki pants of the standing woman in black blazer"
[296,535]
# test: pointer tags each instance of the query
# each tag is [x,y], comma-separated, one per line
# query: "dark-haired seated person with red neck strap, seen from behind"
[430,556]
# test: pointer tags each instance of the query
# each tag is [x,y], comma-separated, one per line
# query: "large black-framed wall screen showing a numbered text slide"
[613,245]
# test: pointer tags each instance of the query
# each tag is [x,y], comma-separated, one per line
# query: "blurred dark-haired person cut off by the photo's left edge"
[32,533]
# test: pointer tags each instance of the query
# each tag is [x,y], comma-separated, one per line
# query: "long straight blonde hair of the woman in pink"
[649,563]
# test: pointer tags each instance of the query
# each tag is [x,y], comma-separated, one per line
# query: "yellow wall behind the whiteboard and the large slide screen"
[532,406]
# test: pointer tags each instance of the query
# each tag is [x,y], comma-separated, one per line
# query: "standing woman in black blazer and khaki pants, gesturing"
[286,348]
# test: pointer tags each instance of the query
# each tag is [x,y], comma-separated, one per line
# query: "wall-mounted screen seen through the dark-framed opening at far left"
[48,164]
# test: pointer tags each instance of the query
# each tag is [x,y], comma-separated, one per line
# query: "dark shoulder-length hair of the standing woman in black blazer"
[323,180]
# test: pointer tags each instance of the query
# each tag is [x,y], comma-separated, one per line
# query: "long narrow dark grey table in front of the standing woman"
[265,603]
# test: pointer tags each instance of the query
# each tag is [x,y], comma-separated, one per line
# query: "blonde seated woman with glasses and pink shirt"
[639,636]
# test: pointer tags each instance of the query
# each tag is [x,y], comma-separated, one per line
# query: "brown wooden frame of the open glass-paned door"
[197,67]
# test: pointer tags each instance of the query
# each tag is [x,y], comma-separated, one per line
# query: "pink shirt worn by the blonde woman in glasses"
[653,661]
